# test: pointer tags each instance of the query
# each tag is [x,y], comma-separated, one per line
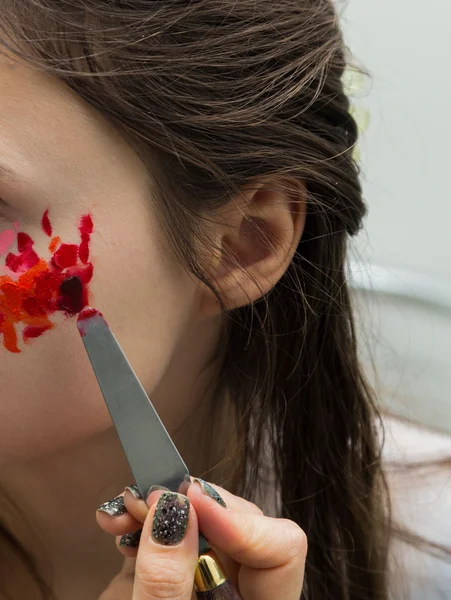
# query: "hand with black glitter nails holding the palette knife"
[263,557]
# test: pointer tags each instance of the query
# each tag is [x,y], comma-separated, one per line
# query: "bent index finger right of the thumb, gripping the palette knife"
[271,551]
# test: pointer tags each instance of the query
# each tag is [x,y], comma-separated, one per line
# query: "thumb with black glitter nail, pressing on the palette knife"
[168,550]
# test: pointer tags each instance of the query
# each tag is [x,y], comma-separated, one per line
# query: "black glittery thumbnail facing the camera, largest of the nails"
[170,519]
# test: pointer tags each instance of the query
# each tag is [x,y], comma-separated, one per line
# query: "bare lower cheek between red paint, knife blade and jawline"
[48,398]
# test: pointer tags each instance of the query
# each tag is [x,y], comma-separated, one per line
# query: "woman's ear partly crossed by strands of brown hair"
[255,239]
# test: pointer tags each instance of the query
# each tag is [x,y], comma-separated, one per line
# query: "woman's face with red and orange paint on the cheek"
[68,161]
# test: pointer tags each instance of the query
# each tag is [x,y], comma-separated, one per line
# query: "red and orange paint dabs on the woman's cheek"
[38,288]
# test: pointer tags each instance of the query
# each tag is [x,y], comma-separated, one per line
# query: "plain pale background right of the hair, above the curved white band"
[406,151]
